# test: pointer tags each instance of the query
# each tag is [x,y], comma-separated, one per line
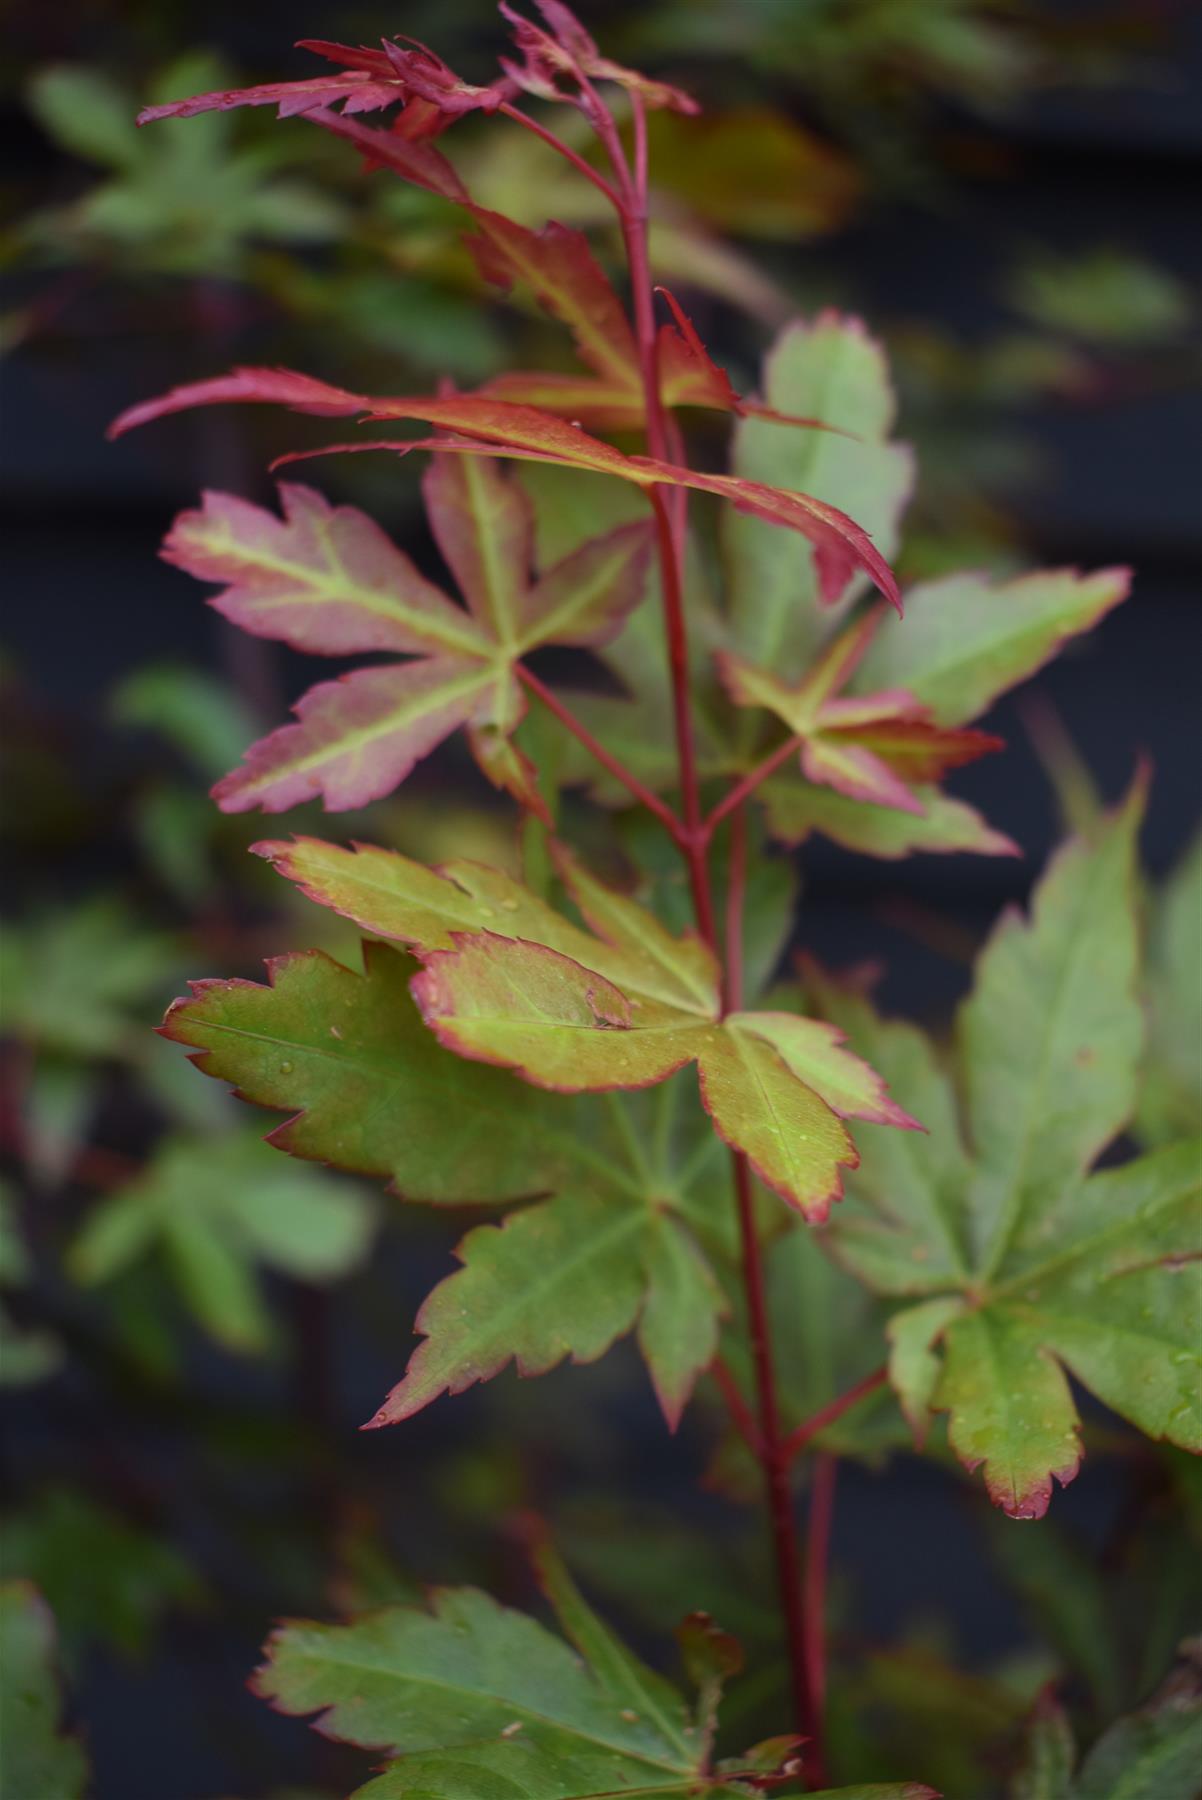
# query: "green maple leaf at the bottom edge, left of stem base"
[480,1702]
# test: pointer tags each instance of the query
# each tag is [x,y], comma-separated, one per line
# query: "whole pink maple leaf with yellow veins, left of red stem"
[332,582]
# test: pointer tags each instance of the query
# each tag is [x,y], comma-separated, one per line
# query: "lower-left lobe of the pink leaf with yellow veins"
[359,737]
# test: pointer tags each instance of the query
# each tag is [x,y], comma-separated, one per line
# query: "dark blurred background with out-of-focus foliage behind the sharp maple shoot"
[1003,192]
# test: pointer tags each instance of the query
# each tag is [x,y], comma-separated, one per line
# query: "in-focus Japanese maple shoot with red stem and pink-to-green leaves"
[532,1045]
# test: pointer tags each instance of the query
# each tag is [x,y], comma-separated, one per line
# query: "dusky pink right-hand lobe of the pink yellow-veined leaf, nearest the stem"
[586,598]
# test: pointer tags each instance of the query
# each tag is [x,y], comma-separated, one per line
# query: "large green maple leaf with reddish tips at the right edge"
[1027,1264]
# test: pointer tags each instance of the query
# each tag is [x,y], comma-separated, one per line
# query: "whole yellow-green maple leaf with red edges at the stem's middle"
[512,982]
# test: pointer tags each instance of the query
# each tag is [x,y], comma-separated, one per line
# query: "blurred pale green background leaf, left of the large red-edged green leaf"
[215,1210]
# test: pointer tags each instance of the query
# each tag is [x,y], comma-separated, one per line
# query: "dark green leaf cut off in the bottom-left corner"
[39,1759]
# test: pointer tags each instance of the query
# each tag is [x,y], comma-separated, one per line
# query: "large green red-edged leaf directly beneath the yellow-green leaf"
[623,1187]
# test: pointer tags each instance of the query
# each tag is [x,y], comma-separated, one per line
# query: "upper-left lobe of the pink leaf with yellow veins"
[323,579]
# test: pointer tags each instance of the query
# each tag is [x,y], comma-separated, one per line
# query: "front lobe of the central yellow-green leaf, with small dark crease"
[559,1023]
